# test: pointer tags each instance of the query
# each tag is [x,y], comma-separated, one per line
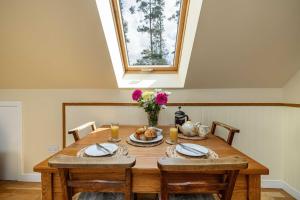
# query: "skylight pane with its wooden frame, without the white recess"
[150,33]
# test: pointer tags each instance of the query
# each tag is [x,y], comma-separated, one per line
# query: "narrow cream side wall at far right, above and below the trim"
[291,160]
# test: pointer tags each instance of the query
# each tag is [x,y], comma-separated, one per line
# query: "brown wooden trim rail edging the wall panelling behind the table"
[66,104]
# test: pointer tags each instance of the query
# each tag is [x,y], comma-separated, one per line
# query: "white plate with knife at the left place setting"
[94,150]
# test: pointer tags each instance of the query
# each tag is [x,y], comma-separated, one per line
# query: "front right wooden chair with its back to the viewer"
[188,179]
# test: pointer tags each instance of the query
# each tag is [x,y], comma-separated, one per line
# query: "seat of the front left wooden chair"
[98,196]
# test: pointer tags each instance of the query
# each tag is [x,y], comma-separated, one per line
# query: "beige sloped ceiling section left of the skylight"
[53,44]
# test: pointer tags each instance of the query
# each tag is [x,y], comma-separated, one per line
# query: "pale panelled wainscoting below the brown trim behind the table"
[261,127]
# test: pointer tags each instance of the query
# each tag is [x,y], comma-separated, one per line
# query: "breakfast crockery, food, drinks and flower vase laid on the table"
[150,135]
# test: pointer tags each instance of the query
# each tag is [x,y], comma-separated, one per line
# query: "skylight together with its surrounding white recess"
[126,25]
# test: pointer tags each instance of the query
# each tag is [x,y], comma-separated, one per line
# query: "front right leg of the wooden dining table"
[254,187]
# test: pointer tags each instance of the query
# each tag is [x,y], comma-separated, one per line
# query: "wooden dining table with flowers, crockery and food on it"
[182,138]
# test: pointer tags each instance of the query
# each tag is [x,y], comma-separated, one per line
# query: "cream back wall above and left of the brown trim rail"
[42,119]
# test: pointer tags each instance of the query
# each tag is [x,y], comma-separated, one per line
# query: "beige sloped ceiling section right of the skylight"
[246,43]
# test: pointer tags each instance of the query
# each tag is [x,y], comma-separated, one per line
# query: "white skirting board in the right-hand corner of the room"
[282,185]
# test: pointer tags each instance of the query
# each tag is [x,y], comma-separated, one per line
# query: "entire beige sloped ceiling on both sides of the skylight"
[60,44]
